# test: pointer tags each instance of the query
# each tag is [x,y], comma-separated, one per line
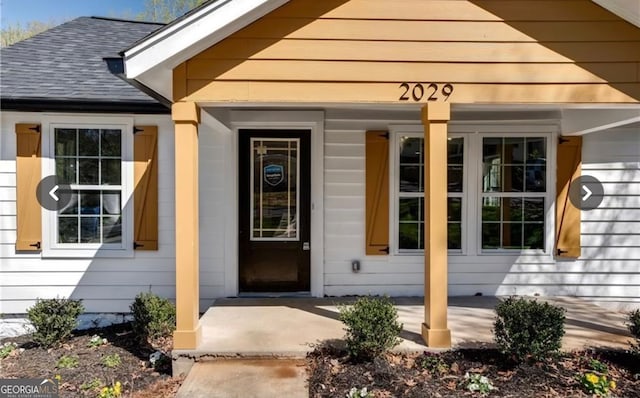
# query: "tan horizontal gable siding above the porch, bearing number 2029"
[362,50]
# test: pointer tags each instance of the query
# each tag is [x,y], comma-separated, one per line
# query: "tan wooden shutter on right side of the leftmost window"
[145,148]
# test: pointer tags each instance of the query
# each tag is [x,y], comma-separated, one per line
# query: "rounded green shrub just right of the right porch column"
[528,329]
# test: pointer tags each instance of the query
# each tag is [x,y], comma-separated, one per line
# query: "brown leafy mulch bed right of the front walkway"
[420,375]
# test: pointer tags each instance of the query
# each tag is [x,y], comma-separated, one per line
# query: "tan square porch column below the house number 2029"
[434,329]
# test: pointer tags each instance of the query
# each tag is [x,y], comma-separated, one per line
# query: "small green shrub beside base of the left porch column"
[153,316]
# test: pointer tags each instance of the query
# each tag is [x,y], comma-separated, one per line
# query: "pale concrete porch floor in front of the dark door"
[289,327]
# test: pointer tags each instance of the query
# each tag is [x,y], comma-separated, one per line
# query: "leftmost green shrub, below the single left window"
[54,320]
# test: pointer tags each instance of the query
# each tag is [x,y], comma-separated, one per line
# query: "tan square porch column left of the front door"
[186,116]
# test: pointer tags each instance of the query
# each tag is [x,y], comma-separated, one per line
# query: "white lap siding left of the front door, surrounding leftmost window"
[109,285]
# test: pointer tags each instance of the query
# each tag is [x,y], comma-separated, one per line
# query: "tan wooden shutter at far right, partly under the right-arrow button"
[567,215]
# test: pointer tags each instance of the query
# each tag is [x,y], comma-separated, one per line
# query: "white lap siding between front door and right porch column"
[345,207]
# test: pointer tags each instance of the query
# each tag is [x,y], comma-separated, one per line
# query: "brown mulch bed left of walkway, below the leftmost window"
[136,375]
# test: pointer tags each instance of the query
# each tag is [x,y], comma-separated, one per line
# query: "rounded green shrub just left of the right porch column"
[372,327]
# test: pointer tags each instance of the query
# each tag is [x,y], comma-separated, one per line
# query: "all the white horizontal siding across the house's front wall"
[608,269]
